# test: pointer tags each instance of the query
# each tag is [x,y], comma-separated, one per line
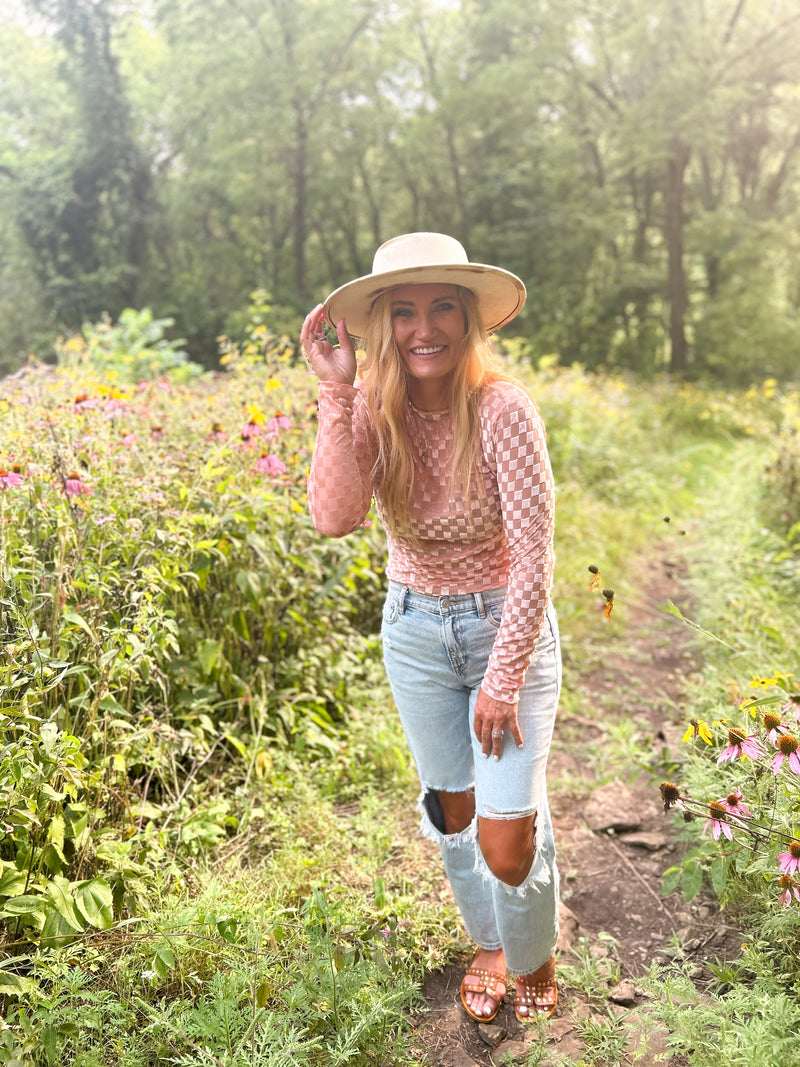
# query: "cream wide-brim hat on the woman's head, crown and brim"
[417,259]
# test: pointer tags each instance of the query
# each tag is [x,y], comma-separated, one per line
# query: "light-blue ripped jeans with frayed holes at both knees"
[437,650]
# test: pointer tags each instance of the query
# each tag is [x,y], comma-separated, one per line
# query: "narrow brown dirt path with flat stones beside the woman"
[615,843]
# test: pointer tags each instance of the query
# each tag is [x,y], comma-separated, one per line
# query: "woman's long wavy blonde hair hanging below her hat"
[387,393]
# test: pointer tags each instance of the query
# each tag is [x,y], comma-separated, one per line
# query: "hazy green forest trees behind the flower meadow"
[635,162]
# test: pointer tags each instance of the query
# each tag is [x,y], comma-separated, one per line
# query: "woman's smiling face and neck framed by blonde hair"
[429,327]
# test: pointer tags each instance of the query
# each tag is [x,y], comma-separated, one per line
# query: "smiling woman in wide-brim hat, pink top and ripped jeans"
[455,455]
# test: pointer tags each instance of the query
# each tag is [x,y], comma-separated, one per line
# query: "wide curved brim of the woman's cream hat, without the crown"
[501,295]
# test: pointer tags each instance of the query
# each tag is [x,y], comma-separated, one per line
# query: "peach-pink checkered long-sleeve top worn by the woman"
[502,537]
